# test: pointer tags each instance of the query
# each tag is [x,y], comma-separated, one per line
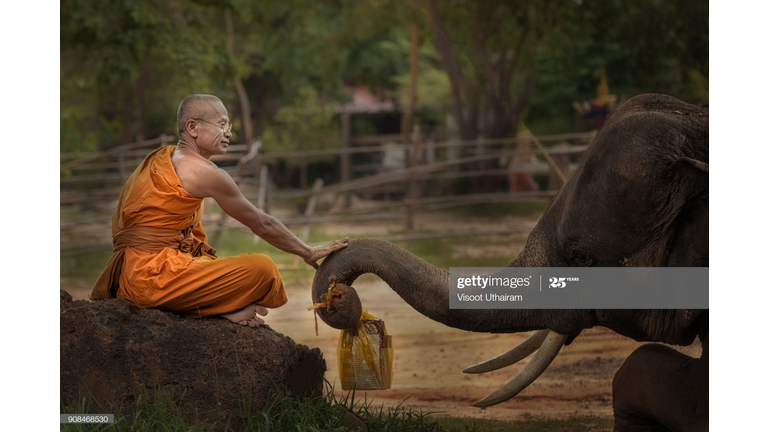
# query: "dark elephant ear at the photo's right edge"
[688,241]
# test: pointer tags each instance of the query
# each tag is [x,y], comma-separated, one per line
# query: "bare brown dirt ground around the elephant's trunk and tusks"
[430,357]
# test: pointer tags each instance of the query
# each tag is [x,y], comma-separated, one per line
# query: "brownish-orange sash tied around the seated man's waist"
[147,239]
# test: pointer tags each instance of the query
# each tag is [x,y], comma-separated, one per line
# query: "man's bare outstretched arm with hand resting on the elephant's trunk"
[226,193]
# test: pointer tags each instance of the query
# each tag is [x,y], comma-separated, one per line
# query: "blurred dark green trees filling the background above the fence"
[127,64]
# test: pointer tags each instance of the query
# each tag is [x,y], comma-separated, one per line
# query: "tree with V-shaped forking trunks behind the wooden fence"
[485,47]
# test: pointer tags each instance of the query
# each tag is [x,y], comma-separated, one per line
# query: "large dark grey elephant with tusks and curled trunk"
[639,198]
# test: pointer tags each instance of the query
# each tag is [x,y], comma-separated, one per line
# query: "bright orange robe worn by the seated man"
[161,260]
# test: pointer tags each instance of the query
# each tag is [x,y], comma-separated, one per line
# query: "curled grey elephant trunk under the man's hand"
[423,286]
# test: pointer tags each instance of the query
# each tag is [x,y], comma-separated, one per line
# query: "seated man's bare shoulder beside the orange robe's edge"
[198,176]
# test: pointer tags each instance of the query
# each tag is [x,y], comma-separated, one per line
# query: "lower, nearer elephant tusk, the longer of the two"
[532,370]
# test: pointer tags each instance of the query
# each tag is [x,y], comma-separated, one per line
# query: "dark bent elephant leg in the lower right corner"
[659,389]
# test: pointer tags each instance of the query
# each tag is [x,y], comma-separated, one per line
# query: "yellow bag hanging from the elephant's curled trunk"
[365,355]
